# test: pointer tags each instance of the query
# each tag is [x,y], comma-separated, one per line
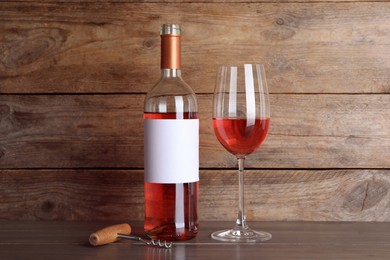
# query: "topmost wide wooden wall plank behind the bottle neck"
[49,47]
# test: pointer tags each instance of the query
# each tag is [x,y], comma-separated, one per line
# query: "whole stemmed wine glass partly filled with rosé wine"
[241,117]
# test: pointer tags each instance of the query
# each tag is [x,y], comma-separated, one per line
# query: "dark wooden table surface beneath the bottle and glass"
[291,240]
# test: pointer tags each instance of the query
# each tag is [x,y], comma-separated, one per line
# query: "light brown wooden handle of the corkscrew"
[109,234]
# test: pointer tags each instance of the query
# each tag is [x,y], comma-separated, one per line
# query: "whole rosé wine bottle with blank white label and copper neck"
[171,148]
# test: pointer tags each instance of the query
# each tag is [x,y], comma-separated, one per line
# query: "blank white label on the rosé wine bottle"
[171,150]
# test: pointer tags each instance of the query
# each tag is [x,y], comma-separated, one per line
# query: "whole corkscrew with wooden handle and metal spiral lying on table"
[115,232]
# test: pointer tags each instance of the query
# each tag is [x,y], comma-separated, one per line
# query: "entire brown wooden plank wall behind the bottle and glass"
[73,76]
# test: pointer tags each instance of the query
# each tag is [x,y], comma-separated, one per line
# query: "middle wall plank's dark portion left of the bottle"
[71,131]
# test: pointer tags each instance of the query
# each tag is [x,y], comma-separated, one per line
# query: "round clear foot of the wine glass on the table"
[237,235]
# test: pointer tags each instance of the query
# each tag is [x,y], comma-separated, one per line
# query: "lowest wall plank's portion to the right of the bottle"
[323,195]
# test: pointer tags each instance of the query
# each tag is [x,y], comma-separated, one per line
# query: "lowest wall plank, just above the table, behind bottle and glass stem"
[271,195]
